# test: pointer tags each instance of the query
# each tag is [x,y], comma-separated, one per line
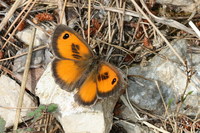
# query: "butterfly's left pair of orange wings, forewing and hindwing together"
[73,55]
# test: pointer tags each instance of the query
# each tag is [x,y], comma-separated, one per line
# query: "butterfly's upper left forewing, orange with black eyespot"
[67,44]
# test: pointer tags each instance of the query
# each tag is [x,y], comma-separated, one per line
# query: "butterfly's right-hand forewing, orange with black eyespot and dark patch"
[108,80]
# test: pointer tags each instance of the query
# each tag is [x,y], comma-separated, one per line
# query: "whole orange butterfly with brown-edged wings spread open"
[76,66]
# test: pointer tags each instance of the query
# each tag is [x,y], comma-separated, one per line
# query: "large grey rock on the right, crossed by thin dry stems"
[171,77]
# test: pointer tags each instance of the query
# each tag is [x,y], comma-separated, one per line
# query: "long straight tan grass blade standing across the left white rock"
[25,76]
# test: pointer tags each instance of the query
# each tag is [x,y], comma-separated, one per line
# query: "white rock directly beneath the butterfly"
[73,117]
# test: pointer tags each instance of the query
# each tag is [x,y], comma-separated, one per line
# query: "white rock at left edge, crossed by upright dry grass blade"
[9,91]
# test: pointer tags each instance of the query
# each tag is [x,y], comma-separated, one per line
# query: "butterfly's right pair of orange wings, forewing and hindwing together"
[103,81]
